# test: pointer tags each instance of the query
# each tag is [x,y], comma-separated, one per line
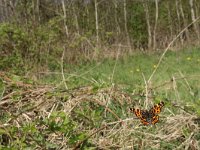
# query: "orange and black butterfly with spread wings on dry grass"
[148,117]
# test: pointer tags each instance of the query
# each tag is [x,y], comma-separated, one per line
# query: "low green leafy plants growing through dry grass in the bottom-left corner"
[58,123]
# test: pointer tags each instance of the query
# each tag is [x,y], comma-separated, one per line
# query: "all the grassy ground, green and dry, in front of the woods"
[92,111]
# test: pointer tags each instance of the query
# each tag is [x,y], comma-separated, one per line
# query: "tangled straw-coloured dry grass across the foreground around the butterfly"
[117,128]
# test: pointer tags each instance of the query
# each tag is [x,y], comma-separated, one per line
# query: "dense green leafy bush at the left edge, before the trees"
[23,50]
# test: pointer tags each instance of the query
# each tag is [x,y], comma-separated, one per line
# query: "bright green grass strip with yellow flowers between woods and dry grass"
[132,71]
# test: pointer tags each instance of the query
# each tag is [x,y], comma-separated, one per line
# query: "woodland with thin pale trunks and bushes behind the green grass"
[34,34]
